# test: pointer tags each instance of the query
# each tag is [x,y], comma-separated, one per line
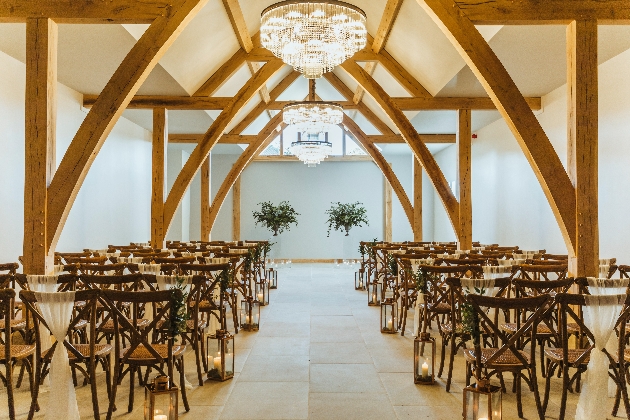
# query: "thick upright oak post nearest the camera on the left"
[39,157]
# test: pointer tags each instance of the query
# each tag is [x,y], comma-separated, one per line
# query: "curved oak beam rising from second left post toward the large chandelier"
[199,154]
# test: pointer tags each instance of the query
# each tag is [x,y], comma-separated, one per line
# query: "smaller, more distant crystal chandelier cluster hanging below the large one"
[311,119]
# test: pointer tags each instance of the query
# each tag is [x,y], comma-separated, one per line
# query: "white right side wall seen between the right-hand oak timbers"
[509,206]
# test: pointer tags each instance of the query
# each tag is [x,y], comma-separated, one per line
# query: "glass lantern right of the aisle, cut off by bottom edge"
[482,401]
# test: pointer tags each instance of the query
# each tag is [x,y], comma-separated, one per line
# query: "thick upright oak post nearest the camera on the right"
[582,142]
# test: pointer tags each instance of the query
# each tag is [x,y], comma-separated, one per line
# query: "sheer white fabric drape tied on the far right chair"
[600,316]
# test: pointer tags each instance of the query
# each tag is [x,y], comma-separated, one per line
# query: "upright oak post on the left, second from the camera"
[158,168]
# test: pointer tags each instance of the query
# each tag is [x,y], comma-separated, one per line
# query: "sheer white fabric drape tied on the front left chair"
[56,309]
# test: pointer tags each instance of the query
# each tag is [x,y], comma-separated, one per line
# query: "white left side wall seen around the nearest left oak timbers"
[113,205]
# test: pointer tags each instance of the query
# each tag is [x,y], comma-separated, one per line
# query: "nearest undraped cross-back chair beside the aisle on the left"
[145,346]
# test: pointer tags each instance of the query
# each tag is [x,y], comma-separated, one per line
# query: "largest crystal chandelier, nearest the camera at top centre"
[313,36]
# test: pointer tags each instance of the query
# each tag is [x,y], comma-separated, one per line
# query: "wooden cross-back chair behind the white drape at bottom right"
[565,358]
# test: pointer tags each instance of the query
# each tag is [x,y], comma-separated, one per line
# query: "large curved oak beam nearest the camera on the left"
[108,108]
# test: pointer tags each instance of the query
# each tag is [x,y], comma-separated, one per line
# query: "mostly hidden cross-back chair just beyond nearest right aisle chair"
[452,331]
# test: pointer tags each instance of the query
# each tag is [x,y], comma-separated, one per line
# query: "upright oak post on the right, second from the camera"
[464,169]
